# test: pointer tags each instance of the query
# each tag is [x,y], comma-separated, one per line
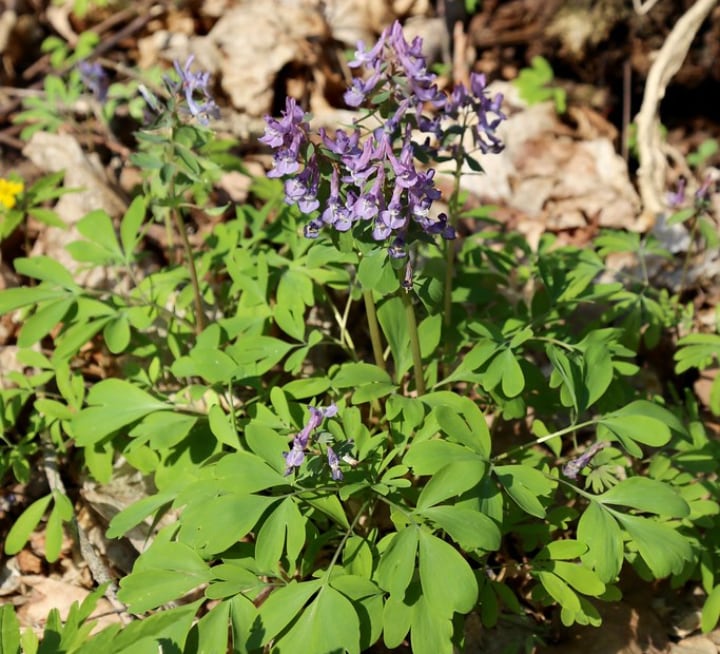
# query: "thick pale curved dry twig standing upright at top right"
[651,174]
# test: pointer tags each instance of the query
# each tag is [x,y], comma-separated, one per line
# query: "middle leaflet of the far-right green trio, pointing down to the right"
[663,549]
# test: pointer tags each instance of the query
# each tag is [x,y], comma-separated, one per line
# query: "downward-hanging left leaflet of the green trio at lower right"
[600,532]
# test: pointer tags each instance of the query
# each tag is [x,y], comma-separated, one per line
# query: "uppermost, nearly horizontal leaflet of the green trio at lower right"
[647,495]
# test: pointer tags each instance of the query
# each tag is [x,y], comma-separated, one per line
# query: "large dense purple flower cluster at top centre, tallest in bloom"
[374,181]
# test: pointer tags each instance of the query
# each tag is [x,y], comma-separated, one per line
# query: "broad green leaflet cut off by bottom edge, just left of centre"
[329,624]
